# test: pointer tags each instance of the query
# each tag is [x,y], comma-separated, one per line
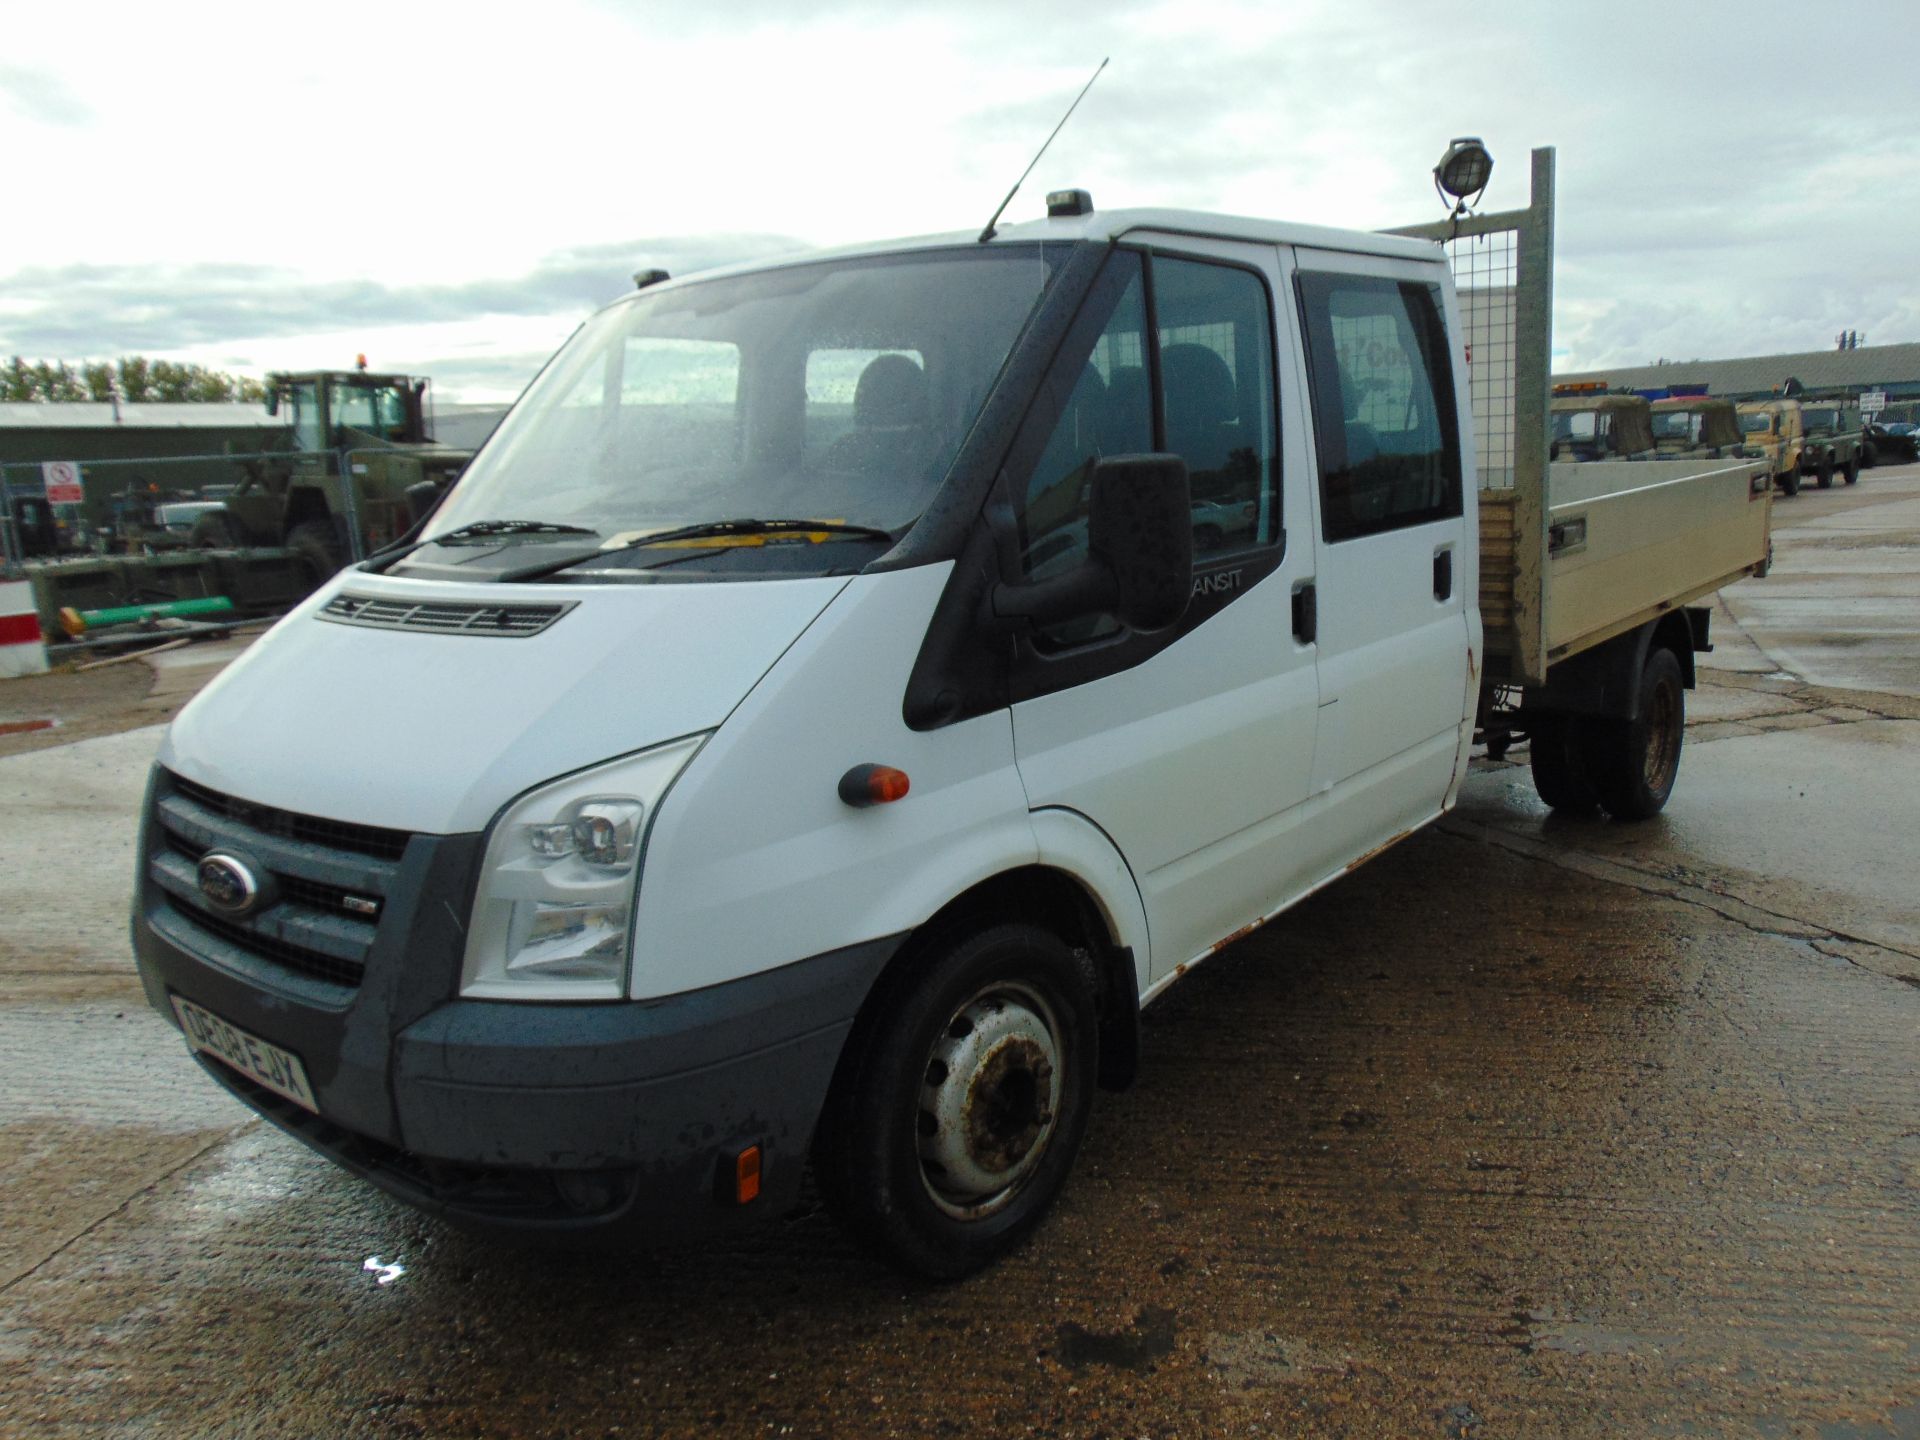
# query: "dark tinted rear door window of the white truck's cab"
[1383,404]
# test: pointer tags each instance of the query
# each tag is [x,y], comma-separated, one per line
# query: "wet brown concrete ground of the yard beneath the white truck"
[1531,1128]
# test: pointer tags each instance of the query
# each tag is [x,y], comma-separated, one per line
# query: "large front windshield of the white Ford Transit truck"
[836,391]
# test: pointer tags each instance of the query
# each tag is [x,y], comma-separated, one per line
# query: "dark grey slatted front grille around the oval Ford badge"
[312,869]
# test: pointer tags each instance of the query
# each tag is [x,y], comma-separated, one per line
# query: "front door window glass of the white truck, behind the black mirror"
[1214,352]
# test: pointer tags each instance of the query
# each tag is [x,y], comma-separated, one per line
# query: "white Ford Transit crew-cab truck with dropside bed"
[846,690]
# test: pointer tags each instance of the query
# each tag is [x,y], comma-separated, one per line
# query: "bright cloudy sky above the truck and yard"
[450,189]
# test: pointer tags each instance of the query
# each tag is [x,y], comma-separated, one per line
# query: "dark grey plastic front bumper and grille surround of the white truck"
[565,1122]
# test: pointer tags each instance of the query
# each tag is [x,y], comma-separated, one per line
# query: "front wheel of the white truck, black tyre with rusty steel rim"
[963,1101]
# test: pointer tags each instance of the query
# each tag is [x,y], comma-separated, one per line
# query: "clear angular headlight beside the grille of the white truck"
[556,905]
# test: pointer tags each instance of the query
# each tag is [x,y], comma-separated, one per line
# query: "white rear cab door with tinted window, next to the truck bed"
[1397,562]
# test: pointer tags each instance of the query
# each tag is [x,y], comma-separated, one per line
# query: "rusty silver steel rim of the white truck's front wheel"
[990,1099]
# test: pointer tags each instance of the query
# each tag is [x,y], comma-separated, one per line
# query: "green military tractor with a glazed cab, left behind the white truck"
[343,425]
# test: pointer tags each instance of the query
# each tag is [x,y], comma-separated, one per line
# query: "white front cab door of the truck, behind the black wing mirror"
[1191,750]
